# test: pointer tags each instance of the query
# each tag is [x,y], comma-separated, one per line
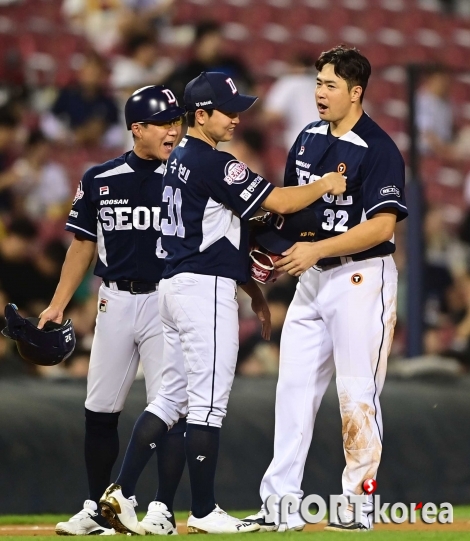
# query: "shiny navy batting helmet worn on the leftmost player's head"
[152,104]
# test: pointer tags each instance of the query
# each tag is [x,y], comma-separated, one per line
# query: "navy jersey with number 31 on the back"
[208,197]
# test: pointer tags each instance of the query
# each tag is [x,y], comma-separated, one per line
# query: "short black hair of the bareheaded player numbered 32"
[349,64]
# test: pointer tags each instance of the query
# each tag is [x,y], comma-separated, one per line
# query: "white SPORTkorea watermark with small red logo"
[339,509]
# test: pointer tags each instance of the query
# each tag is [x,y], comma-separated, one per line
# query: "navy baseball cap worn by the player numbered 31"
[215,90]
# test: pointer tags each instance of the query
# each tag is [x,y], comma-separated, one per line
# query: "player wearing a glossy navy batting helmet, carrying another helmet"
[117,209]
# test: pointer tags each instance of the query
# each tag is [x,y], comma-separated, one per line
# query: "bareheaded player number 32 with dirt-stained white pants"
[342,316]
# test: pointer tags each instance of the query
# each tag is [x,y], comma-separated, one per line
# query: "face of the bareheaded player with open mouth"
[335,102]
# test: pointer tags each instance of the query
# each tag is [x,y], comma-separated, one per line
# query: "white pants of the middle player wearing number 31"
[200,327]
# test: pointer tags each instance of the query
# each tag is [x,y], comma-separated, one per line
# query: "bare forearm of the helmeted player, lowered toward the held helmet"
[77,261]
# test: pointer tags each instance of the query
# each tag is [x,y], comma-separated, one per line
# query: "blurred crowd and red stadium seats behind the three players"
[68,66]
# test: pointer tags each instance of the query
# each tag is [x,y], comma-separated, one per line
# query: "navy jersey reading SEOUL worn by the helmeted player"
[117,205]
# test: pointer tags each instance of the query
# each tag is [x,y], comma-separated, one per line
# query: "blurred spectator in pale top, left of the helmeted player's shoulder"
[42,189]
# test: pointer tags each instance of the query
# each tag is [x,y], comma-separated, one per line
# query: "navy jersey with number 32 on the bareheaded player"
[374,171]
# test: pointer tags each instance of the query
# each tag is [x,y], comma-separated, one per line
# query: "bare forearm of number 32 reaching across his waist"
[360,238]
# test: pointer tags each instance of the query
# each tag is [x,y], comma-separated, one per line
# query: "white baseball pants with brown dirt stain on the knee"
[342,318]
